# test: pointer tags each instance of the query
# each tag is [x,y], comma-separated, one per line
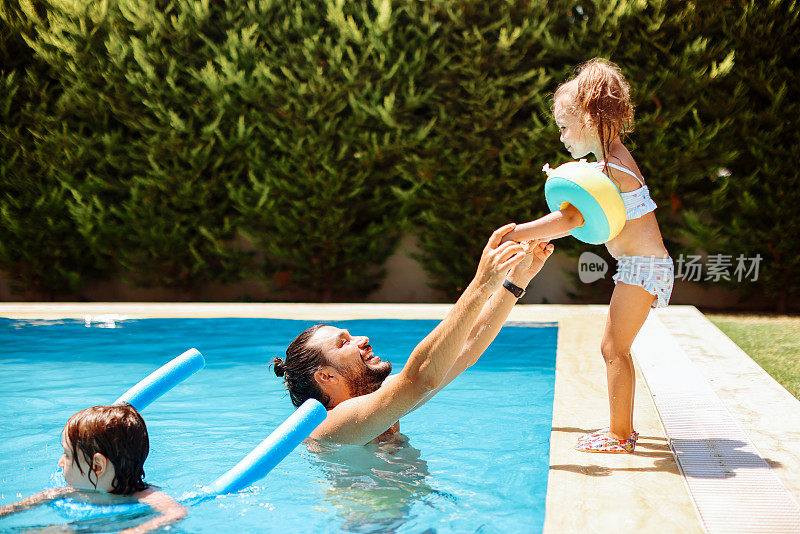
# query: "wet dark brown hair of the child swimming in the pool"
[117,432]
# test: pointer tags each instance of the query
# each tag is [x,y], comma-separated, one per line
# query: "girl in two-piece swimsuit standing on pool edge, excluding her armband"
[593,111]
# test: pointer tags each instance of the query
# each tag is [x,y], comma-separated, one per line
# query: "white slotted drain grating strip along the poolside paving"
[731,485]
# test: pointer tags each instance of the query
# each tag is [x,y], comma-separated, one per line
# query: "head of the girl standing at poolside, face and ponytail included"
[593,108]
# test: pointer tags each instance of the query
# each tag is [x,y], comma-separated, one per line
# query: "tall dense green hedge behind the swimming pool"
[187,142]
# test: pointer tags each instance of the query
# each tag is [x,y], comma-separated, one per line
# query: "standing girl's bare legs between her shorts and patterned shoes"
[629,308]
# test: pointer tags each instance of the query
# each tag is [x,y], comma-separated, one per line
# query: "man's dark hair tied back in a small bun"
[302,361]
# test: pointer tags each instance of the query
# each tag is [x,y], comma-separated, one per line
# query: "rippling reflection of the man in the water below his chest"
[373,488]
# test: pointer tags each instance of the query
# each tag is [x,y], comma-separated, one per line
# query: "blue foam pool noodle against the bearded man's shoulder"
[272,450]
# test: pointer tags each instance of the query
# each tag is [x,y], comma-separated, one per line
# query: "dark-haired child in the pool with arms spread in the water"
[104,452]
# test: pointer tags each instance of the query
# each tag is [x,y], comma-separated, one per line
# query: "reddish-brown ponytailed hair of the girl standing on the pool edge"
[599,95]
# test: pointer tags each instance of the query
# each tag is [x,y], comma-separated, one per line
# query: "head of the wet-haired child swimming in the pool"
[105,448]
